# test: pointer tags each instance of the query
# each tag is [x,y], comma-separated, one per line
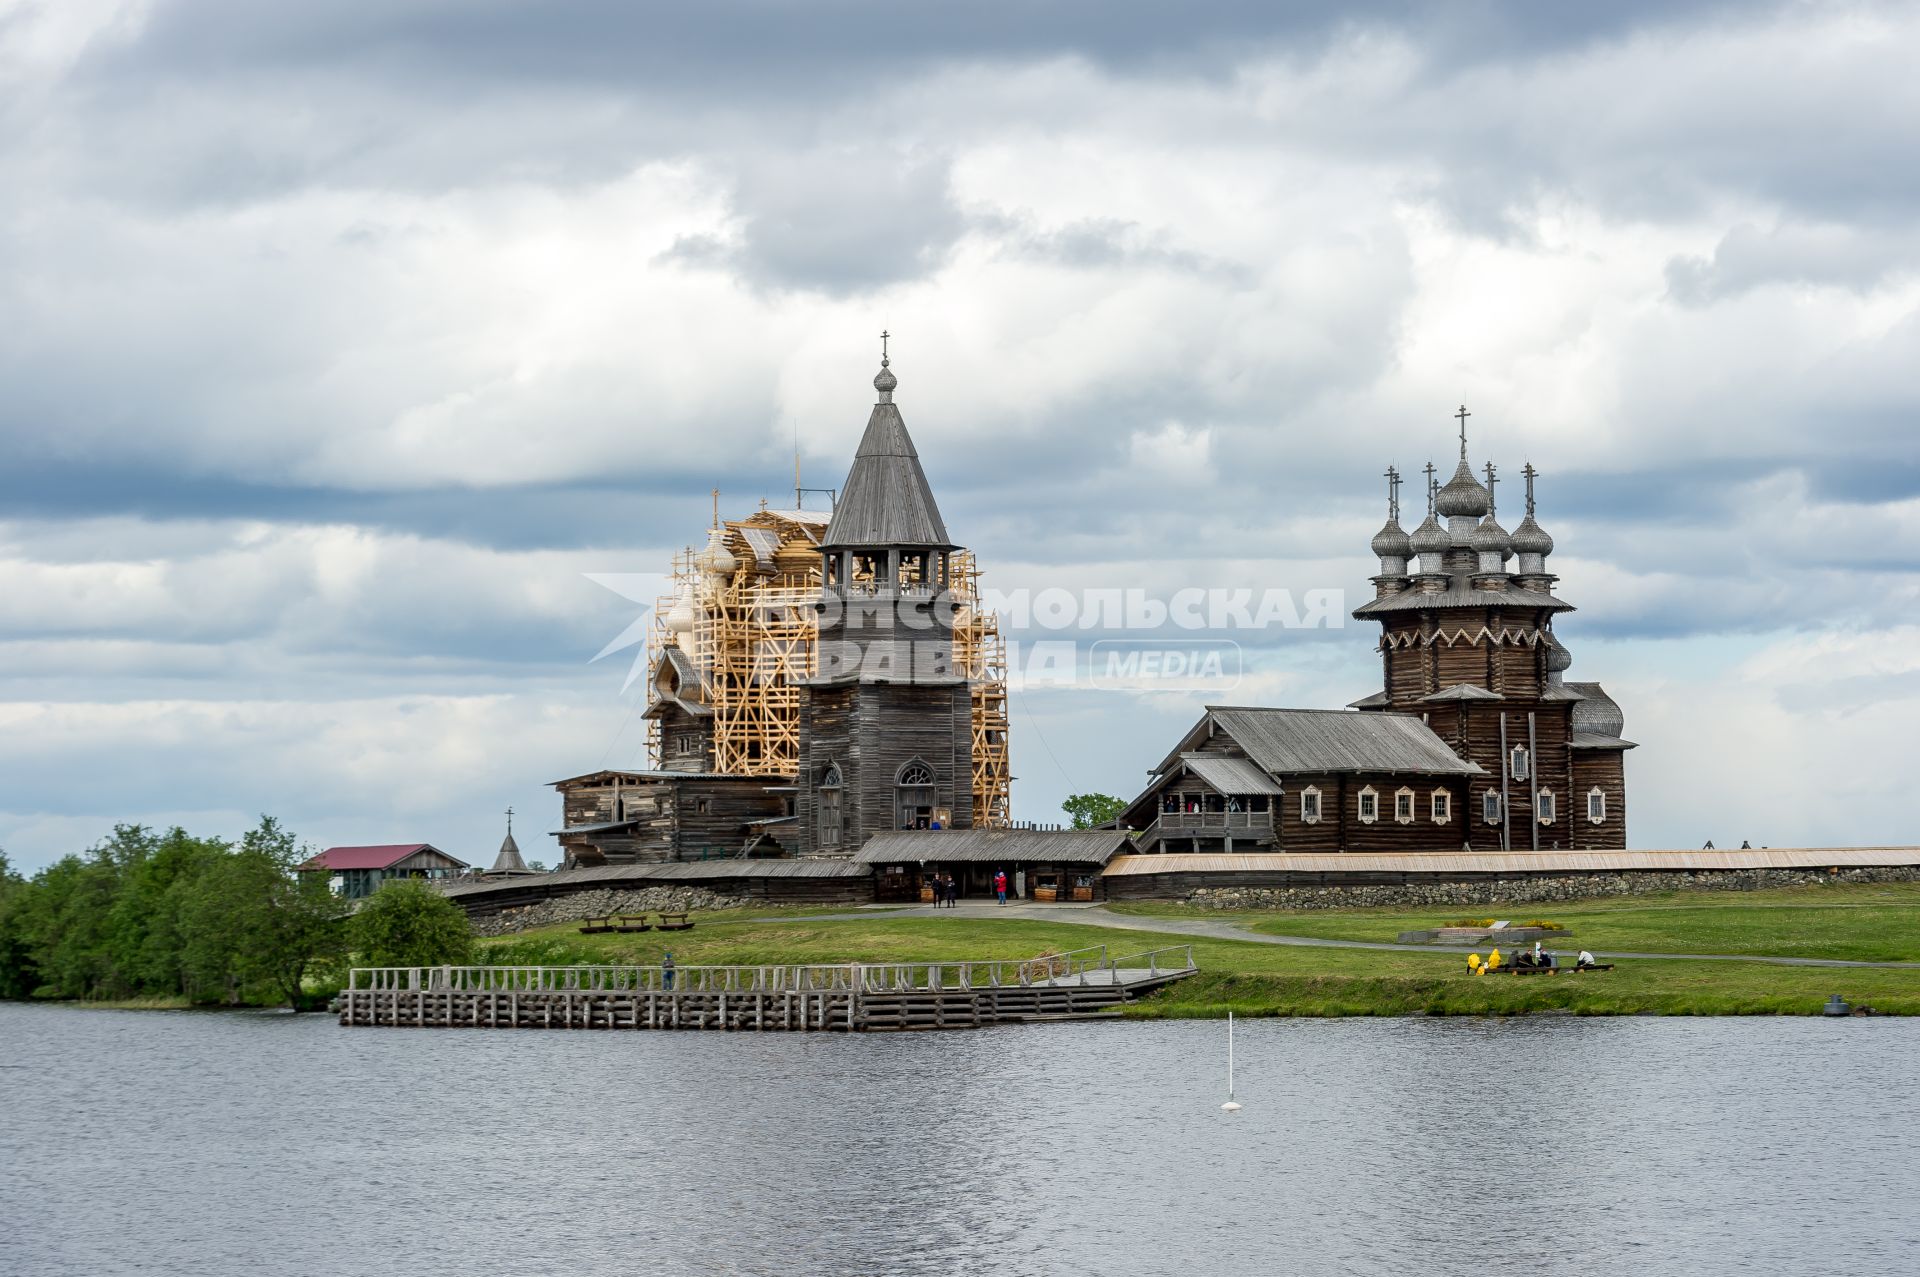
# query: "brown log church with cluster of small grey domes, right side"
[1474,742]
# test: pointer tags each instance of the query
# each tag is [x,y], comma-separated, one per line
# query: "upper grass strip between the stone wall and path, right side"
[1865,923]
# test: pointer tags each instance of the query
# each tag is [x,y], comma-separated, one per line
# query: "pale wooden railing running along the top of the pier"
[1078,967]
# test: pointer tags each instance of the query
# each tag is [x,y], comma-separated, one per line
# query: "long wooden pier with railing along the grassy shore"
[852,998]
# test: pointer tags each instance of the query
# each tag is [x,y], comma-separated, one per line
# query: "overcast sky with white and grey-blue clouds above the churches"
[341,343]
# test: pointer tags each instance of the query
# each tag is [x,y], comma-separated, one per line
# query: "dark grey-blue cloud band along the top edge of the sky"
[769,47]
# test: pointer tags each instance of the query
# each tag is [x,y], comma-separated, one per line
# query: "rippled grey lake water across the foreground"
[220,1144]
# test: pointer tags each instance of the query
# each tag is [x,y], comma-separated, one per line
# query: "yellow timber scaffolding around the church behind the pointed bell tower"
[744,614]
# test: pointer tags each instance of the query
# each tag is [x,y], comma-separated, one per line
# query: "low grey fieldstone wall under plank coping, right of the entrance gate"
[1531,890]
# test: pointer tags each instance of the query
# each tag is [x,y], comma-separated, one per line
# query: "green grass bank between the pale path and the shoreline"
[1249,978]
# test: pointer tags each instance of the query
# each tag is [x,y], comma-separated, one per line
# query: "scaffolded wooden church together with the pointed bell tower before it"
[875,692]
